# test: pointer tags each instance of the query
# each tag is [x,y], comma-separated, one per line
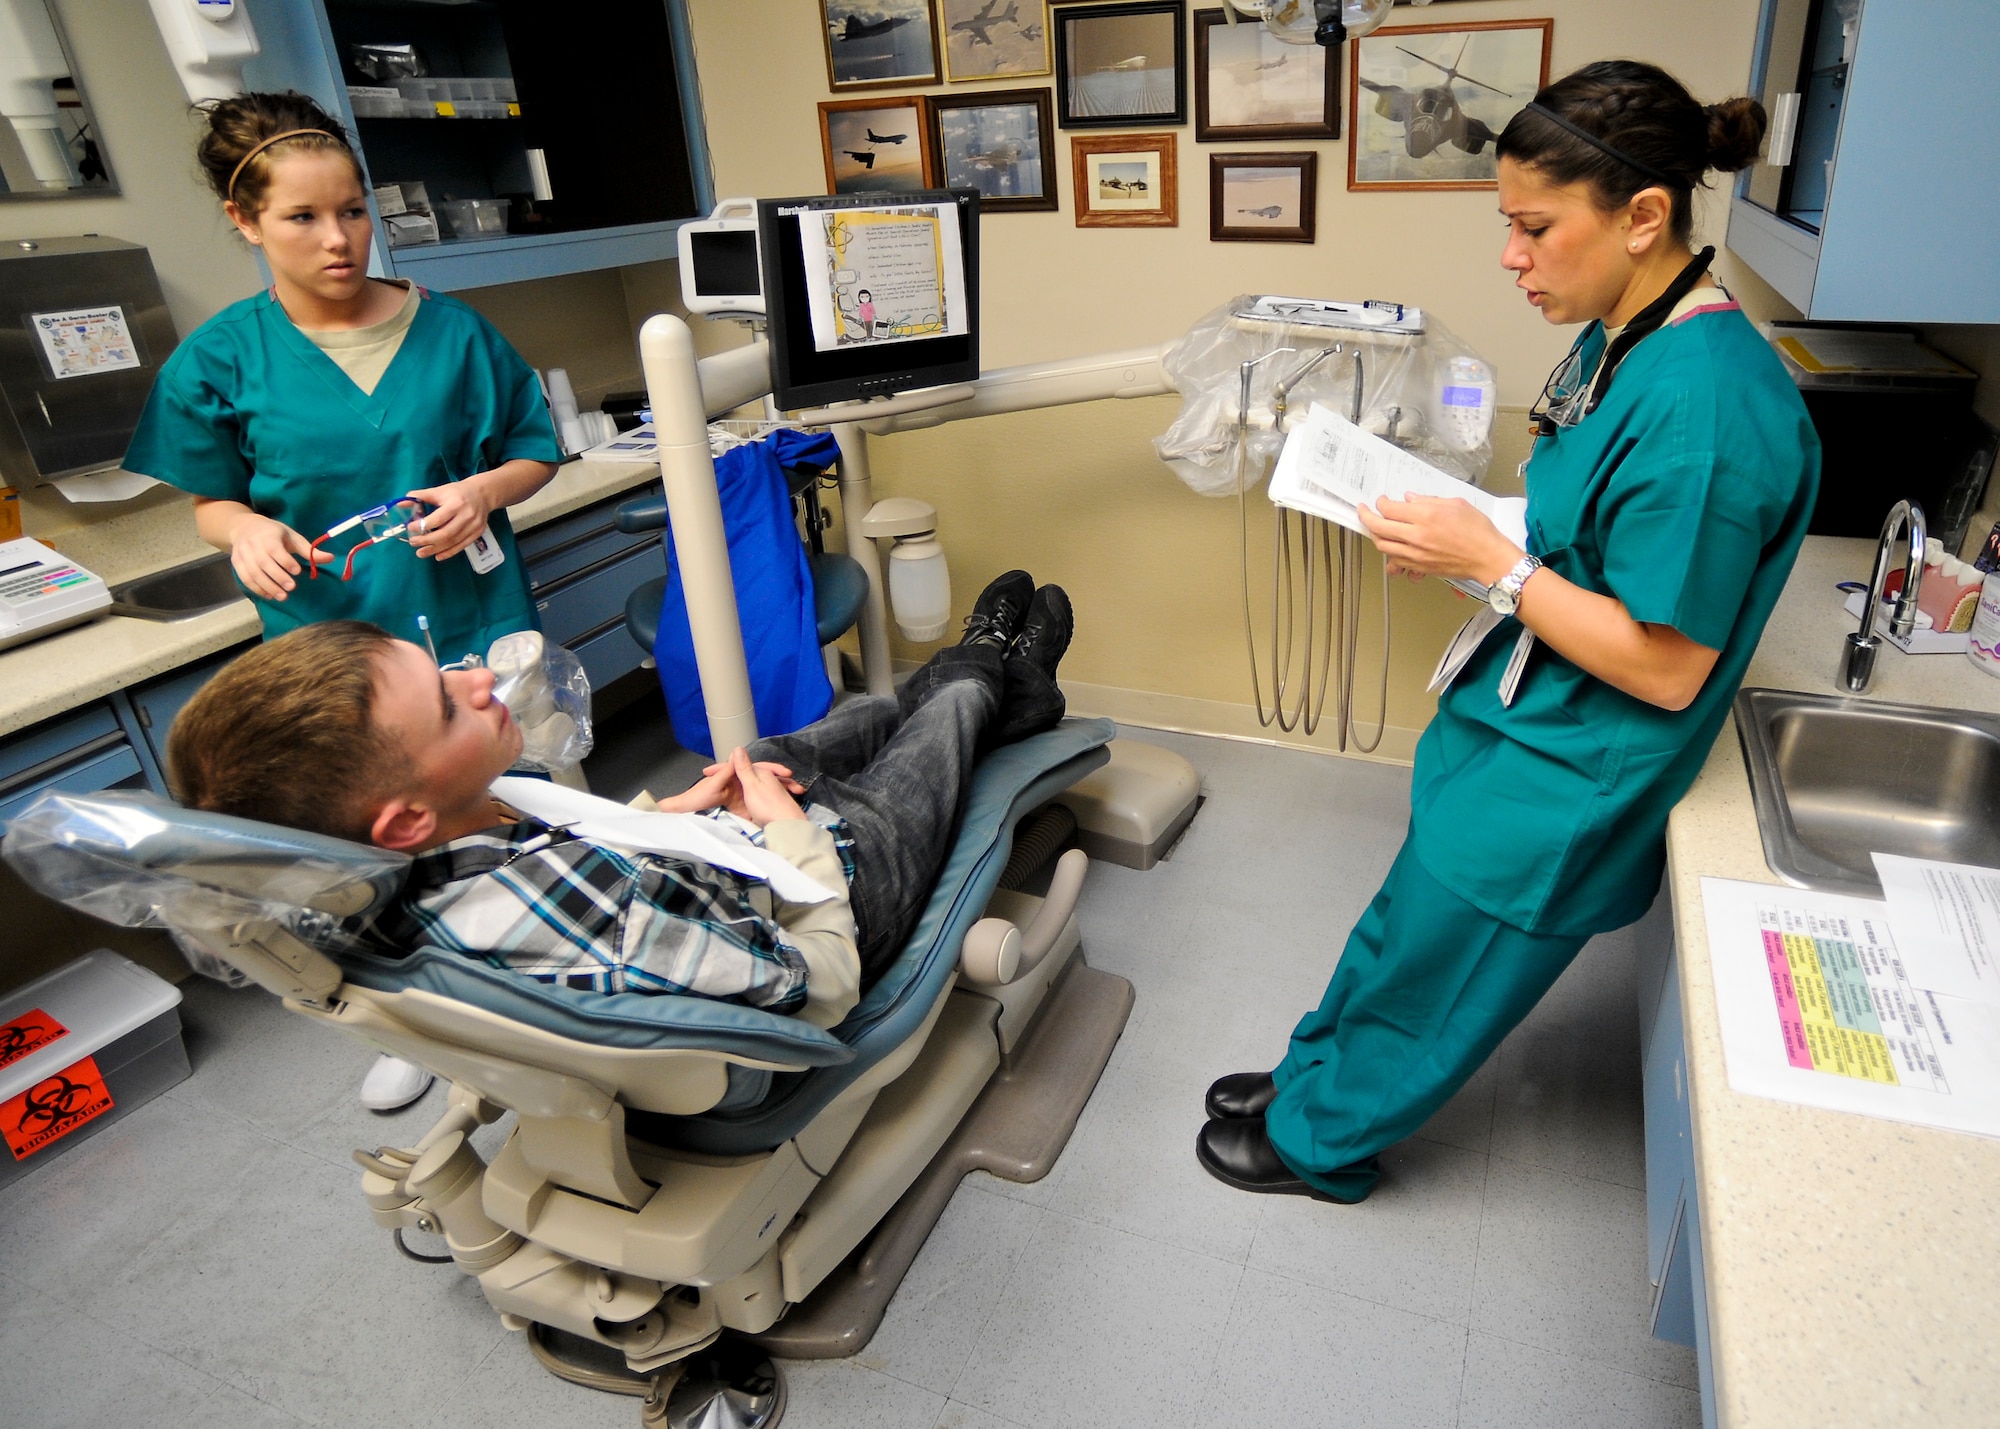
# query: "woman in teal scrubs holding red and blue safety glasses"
[333,393]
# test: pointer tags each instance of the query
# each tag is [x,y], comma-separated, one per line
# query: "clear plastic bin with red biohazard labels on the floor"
[79,1050]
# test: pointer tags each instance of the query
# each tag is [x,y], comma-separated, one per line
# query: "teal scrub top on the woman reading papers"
[1687,497]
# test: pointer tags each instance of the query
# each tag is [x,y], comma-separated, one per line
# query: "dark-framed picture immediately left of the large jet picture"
[1253,85]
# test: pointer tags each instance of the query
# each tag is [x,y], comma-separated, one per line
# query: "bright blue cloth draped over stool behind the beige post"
[773,581]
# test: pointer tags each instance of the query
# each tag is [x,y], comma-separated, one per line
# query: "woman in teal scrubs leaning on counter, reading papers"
[1669,493]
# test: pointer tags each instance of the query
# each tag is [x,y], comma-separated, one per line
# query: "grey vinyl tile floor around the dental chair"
[209,1260]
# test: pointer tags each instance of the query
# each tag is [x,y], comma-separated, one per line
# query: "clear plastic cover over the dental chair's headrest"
[125,858]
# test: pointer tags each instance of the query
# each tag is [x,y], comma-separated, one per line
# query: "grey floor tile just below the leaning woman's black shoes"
[1411,1246]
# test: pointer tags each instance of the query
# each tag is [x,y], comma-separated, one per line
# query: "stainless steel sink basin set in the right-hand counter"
[1839,780]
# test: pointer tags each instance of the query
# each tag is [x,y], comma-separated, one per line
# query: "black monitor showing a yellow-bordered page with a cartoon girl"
[871,293]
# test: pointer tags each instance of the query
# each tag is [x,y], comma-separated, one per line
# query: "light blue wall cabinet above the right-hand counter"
[1877,195]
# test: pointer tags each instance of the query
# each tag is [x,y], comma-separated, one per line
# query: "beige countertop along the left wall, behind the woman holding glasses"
[89,661]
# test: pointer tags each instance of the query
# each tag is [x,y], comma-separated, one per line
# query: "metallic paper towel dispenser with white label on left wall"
[83,335]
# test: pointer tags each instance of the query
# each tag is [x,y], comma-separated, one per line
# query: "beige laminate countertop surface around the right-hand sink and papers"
[1853,1264]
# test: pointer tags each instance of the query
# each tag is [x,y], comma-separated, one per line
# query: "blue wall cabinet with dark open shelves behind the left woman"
[507,139]
